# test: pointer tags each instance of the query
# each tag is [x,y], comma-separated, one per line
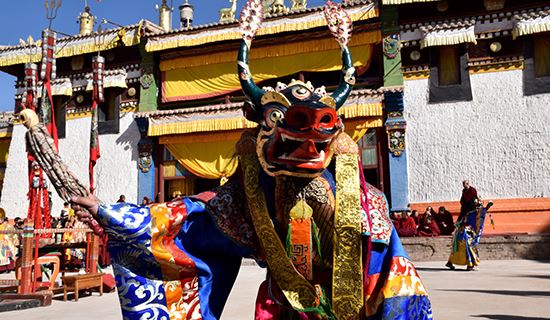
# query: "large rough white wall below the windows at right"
[500,141]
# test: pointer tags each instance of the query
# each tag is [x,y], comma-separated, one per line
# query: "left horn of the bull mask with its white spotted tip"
[250,22]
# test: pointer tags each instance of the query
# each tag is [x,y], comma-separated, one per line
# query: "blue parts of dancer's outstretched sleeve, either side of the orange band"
[138,274]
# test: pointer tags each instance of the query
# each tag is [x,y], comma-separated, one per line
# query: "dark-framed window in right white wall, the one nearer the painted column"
[449,74]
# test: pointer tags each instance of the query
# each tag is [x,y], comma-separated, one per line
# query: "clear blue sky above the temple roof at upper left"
[22,18]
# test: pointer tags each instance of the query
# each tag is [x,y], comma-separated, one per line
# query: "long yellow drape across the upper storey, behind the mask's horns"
[209,78]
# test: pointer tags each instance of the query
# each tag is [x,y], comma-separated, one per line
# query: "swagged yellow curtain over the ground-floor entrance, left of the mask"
[208,160]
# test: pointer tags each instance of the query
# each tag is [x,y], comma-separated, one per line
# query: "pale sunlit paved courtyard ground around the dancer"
[499,290]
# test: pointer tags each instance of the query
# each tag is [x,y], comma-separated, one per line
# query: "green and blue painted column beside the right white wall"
[393,103]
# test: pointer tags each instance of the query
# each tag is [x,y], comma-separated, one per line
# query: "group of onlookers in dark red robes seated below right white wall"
[428,224]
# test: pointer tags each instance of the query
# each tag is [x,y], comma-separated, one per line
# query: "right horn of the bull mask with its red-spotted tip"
[340,25]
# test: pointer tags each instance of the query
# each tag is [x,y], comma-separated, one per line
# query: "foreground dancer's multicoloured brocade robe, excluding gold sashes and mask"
[179,260]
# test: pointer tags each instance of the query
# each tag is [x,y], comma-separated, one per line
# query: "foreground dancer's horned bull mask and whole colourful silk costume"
[299,205]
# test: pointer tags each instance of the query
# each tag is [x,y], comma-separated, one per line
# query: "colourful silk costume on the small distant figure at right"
[467,237]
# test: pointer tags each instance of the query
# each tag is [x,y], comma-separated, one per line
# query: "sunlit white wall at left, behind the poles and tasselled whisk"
[116,171]
